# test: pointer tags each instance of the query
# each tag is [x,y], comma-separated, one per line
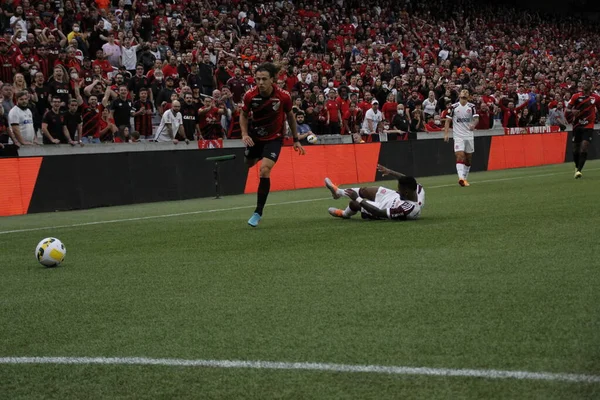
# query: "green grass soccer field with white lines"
[493,294]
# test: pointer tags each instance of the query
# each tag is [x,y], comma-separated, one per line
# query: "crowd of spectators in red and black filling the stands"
[106,71]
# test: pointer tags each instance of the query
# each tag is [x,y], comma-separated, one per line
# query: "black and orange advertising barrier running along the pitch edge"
[66,182]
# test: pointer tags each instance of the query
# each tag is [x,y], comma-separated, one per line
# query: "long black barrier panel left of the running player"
[97,180]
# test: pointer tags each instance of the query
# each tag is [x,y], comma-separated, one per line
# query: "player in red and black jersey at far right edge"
[583,106]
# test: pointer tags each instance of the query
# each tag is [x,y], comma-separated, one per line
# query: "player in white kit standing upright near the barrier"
[464,118]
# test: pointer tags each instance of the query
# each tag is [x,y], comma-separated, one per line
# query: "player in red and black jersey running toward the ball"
[268,107]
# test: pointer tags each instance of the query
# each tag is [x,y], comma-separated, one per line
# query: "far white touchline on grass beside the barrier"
[114,221]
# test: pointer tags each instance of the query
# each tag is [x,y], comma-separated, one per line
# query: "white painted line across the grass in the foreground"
[304,366]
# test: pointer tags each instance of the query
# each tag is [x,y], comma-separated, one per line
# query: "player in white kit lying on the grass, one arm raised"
[378,202]
